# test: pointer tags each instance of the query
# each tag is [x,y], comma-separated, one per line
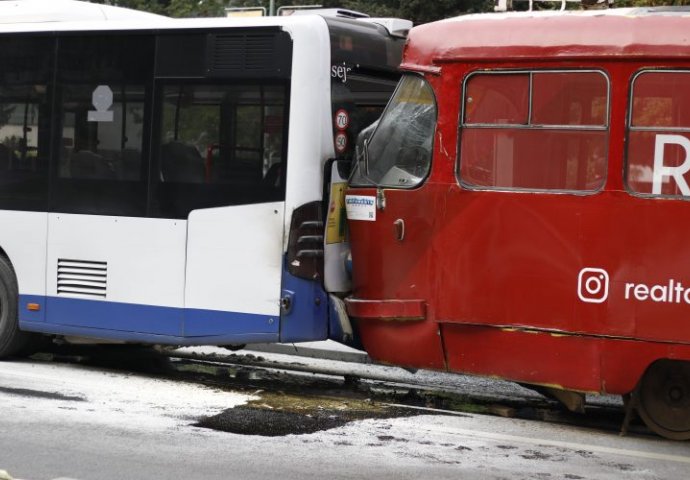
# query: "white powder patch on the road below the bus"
[110,398]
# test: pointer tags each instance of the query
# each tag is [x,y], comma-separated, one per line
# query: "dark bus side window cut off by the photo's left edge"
[24,122]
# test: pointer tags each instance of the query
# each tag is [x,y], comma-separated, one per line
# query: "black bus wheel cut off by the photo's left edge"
[12,340]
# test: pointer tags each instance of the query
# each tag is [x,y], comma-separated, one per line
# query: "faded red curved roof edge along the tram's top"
[626,32]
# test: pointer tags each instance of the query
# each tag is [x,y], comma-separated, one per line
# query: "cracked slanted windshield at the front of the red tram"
[398,154]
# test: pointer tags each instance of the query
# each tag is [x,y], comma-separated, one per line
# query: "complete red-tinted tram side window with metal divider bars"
[540,130]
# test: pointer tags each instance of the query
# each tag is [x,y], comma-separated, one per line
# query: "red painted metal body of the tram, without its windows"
[499,271]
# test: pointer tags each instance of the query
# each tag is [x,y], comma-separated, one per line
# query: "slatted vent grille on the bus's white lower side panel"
[82,278]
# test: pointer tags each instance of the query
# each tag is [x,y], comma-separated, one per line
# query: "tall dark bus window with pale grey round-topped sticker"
[102,90]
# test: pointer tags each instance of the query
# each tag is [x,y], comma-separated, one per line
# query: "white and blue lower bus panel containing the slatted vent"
[124,274]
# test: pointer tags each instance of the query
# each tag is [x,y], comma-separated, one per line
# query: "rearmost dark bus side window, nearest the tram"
[220,145]
